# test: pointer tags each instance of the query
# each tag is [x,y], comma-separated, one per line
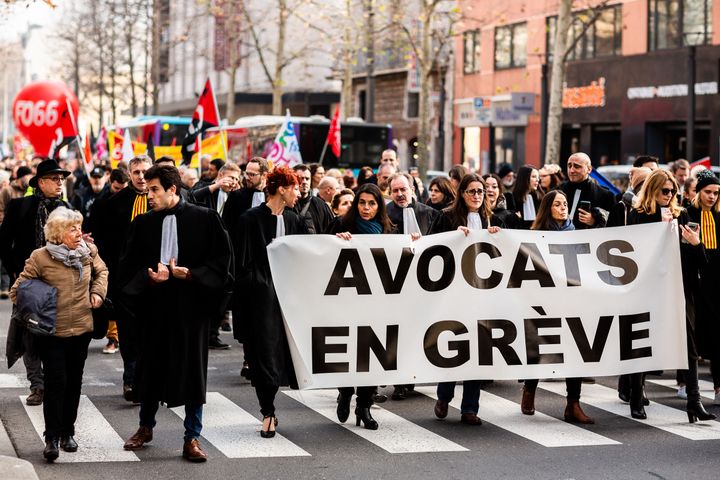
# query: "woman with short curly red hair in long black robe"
[263,333]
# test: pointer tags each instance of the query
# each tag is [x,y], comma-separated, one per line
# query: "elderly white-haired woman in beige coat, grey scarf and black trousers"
[67,263]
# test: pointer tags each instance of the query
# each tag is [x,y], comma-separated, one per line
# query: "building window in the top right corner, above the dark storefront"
[678,23]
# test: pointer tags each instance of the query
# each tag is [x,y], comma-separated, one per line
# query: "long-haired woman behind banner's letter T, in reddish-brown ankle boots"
[553,216]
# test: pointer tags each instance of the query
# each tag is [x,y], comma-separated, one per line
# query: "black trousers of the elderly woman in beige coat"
[63,364]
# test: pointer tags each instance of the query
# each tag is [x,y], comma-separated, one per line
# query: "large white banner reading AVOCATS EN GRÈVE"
[383,310]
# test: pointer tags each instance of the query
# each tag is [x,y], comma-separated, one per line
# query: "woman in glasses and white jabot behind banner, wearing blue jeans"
[469,211]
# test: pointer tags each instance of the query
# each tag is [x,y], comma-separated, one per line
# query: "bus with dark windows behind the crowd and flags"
[361,143]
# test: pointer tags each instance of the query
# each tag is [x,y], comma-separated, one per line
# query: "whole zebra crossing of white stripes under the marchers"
[233,431]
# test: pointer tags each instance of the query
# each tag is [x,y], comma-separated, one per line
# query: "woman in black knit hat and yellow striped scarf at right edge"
[705,211]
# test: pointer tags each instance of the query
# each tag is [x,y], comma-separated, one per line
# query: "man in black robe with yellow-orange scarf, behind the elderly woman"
[111,233]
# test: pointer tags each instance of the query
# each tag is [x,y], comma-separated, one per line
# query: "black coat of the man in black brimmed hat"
[17,233]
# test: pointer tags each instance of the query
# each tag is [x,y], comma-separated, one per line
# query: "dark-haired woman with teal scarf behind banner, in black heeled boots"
[367,215]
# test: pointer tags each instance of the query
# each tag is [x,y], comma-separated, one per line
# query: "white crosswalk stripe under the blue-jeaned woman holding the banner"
[539,428]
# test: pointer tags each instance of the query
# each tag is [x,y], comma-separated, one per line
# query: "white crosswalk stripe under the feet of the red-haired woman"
[236,433]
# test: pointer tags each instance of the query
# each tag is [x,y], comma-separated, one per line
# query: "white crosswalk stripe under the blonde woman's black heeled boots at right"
[659,416]
